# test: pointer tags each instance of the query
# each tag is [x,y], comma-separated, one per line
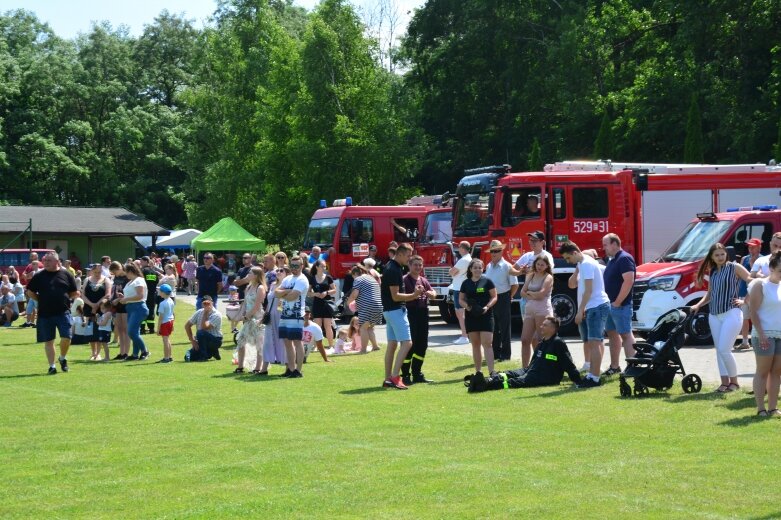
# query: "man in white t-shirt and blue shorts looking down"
[593,308]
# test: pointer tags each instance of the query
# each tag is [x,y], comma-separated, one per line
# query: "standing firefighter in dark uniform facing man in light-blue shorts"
[417,313]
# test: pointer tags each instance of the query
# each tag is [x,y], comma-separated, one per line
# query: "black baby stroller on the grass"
[657,361]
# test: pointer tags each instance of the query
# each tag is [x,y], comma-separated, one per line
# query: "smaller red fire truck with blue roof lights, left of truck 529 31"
[346,232]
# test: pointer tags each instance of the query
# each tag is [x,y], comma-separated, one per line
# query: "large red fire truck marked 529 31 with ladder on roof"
[581,201]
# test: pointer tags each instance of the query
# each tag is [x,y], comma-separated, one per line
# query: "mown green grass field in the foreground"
[142,440]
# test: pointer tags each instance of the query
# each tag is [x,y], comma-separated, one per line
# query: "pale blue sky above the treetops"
[70,17]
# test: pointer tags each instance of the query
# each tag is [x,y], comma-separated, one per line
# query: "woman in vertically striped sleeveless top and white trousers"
[725,317]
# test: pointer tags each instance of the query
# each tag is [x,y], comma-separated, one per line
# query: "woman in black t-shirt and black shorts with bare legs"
[477,298]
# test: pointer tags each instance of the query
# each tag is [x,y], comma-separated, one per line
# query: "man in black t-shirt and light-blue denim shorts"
[395,314]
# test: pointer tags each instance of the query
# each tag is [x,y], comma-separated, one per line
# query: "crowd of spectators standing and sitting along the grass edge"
[286,307]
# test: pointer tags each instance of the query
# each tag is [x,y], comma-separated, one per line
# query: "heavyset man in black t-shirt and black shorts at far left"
[53,289]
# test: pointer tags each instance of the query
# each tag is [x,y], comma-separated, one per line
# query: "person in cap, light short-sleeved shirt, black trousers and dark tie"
[498,271]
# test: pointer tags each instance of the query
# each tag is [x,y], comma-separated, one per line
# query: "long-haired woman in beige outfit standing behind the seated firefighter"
[537,291]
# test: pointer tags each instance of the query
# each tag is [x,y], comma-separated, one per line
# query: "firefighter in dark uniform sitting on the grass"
[549,362]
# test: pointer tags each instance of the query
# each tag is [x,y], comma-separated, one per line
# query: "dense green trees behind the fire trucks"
[270,108]
